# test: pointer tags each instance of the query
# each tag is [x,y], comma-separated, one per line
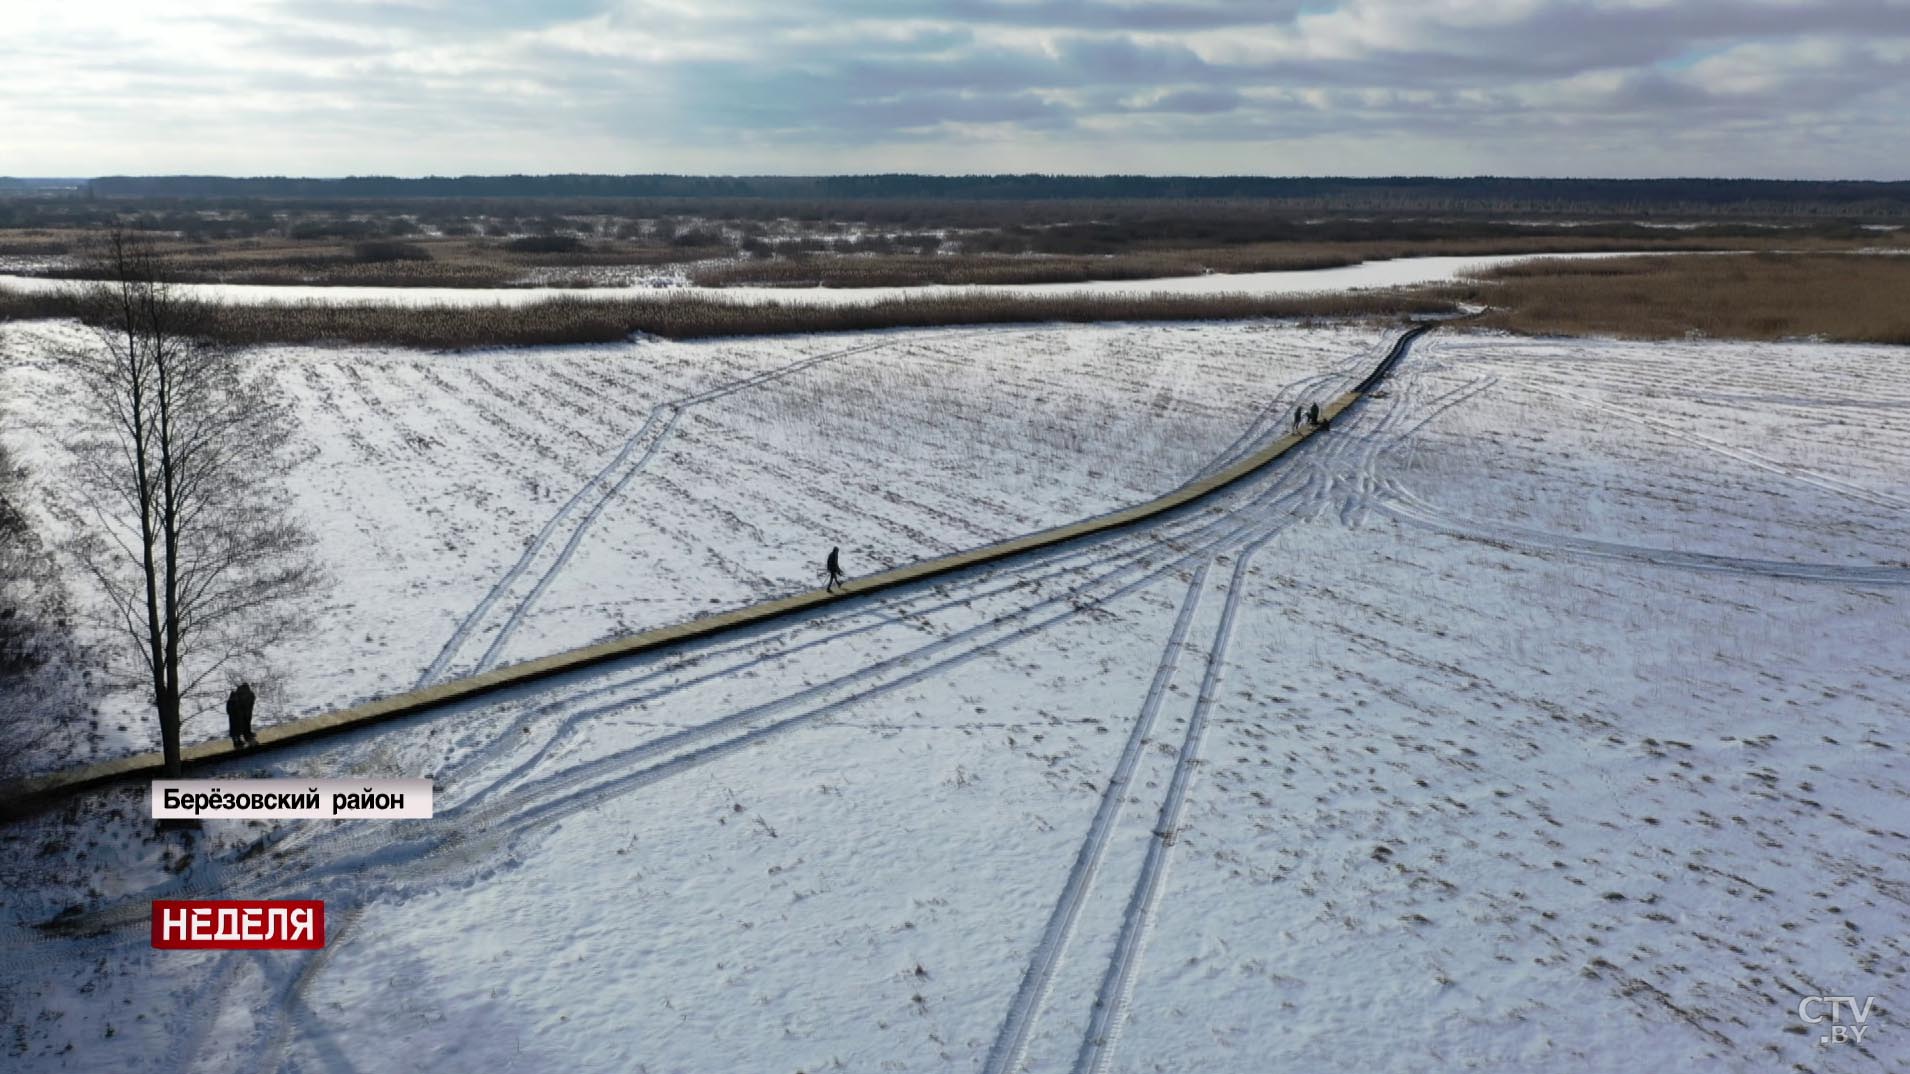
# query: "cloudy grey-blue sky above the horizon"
[1787,89]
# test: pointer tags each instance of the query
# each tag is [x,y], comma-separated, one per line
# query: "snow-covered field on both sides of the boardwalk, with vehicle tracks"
[1544,716]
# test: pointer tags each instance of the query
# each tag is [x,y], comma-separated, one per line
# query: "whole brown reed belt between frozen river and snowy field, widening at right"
[1749,297]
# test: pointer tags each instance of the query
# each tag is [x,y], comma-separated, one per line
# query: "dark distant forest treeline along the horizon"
[1705,198]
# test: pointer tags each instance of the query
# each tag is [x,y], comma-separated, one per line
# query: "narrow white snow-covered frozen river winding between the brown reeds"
[1401,272]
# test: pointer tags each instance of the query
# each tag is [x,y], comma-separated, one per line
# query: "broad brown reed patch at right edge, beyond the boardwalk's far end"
[1743,297]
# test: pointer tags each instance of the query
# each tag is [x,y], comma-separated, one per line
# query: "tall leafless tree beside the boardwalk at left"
[180,465]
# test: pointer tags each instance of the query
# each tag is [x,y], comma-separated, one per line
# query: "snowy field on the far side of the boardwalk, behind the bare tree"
[492,507]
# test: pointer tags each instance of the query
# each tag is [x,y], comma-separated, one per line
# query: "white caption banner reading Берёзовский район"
[291,800]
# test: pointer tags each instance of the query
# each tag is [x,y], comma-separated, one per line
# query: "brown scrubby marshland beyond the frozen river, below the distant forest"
[859,246]
